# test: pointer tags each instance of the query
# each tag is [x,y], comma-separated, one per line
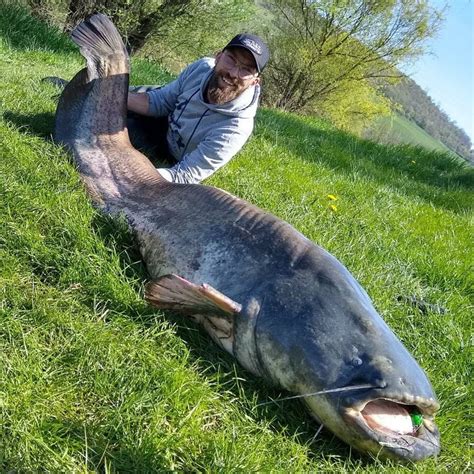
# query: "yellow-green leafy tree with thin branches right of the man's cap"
[321,47]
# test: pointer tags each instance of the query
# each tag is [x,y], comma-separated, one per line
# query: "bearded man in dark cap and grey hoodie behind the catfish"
[210,108]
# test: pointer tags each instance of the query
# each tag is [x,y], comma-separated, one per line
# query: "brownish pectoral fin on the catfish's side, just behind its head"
[175,292]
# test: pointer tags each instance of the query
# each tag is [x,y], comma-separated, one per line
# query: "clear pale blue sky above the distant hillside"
[447,74]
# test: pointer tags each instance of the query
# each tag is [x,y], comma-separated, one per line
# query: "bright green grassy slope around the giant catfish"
[93,379]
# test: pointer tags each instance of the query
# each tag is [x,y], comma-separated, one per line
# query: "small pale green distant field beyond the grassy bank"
[398,129]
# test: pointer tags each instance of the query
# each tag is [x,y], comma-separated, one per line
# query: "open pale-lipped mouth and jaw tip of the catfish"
[401,430]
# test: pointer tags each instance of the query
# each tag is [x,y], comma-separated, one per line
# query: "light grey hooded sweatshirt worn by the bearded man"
[202,136]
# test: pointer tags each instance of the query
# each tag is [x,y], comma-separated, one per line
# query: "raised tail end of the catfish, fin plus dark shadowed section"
[103,86]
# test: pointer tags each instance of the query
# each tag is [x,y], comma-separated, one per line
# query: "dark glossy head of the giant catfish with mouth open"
[319,335]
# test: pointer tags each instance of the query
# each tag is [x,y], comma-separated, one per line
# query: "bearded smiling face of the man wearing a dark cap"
[235,71]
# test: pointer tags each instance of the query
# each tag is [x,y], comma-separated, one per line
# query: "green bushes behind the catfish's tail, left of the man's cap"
[172,31]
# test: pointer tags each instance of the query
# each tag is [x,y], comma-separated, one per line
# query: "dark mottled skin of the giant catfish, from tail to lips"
[304,322]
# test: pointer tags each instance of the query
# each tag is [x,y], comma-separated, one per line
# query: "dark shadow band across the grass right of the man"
[432,176]
